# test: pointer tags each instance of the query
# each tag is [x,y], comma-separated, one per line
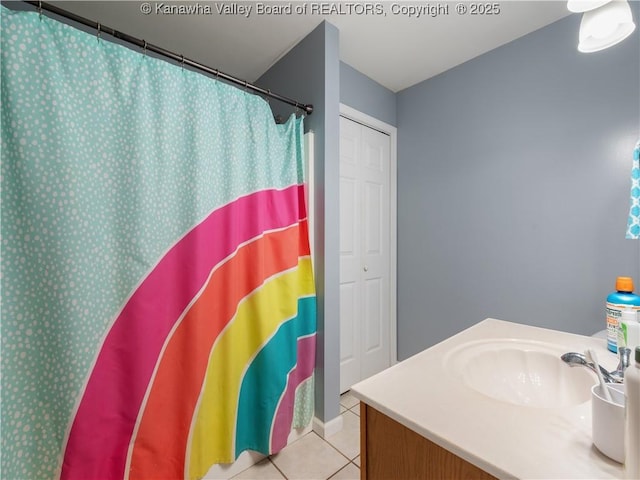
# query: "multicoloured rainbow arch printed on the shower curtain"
[238,381]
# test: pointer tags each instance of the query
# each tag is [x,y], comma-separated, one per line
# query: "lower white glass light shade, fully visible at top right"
[605,26]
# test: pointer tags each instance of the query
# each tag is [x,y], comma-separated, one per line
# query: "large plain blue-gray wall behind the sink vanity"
[513,187]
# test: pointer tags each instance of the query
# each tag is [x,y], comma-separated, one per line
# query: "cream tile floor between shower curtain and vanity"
[313,458]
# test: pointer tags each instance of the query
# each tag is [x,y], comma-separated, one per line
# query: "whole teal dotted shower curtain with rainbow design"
[158,305]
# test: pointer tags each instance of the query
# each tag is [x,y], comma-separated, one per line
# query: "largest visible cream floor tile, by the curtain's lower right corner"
[309,458]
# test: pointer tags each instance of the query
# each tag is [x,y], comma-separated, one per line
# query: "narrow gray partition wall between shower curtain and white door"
[310,73]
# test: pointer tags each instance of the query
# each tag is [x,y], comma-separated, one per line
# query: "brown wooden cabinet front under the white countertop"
[391,451]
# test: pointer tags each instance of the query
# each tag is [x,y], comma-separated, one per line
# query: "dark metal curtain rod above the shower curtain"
[307,108]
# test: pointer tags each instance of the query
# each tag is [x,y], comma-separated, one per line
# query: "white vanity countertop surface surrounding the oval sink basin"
[505,440]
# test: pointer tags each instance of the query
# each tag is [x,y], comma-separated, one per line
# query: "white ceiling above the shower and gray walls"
[393,48]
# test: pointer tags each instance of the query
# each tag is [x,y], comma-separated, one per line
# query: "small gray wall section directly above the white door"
[366,95]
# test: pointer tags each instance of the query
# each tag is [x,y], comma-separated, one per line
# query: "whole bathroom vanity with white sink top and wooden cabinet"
[494,401]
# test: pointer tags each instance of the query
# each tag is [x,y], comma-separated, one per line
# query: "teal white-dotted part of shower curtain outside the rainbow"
[108,157]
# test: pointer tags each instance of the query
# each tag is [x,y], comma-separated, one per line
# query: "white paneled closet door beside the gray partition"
[364,252]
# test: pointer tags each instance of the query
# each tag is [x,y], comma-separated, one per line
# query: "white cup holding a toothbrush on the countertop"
[607,421]
